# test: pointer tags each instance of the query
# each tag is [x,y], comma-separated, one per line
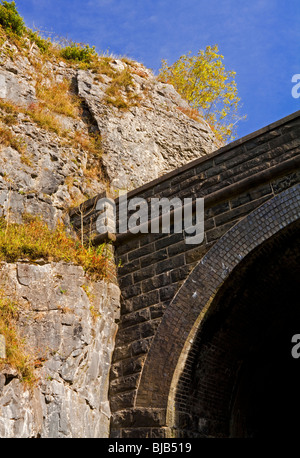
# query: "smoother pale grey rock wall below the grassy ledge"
[70,324]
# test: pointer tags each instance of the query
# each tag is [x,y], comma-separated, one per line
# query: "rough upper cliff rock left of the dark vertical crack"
[49,176]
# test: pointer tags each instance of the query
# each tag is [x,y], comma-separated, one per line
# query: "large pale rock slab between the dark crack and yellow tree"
[149,139]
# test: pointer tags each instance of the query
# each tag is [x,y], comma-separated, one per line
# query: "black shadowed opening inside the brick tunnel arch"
[240,378]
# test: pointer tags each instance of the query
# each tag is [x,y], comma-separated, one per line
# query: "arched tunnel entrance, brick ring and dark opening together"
[221,362]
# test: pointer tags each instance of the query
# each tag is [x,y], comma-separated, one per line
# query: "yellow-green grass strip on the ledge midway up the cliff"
[34,240]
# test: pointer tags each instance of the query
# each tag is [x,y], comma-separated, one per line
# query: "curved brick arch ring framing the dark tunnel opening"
[178,330]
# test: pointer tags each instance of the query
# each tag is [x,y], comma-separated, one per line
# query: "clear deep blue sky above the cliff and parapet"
[260,40]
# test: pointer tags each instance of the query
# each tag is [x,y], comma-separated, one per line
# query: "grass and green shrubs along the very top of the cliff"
[57,98]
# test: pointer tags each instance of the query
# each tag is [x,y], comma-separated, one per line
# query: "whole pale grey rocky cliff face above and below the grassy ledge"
[116,137]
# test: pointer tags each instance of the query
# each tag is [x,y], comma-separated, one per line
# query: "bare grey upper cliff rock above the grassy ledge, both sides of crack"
[149,139]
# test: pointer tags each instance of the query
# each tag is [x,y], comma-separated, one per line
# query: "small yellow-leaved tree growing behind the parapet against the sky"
[203,81]
